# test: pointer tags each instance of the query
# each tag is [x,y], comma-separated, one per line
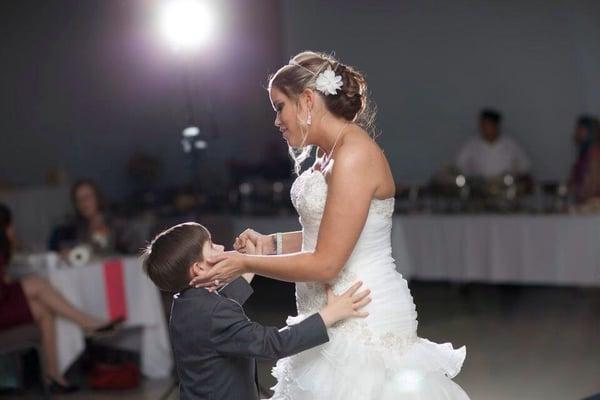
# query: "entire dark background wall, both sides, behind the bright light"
[85,86]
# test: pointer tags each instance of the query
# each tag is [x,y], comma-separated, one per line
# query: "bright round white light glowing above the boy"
[186,24]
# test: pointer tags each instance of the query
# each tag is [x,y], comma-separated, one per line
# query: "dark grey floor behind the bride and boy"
[522,342]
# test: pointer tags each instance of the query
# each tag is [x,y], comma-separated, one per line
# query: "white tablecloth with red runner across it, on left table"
[85,288]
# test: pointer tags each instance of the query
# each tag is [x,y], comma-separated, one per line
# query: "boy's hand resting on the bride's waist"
[346,305]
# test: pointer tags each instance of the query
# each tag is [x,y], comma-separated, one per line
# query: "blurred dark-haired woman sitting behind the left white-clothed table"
[92,225]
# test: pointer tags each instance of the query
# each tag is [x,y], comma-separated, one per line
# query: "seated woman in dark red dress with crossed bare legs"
[34,299]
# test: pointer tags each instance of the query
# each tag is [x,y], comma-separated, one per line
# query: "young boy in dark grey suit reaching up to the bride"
[214,343]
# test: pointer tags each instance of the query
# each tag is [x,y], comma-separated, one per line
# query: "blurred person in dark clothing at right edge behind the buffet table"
[585,174]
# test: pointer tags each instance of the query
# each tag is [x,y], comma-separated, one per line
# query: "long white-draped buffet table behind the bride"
[545,249]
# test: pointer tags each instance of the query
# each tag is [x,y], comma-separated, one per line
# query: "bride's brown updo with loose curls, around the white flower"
[350,102]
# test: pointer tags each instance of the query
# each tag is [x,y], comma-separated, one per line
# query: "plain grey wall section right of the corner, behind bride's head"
[432,65]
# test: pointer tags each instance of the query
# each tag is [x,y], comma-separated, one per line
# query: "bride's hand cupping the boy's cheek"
[226,267]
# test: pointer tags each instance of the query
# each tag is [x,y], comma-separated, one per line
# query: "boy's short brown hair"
[167,259]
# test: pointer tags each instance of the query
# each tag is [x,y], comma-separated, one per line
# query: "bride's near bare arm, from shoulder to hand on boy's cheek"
[350,190]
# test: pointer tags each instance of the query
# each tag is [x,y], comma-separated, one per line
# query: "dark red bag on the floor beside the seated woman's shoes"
[125,375]
